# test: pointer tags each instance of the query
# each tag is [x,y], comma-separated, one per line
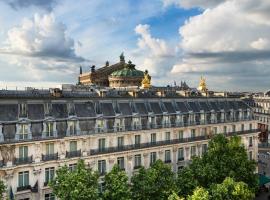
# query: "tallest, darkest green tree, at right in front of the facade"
[224,158]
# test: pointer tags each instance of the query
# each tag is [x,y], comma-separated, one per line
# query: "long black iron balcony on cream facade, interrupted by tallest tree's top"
[161,143]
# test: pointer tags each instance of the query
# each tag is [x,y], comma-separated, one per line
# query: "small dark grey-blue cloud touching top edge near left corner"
[18,4]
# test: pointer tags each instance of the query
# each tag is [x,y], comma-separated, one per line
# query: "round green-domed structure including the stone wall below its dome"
[128,76]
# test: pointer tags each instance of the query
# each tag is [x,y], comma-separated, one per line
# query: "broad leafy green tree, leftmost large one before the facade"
[79,184]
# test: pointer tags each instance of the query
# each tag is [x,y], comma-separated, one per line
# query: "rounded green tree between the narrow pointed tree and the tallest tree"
[155,183]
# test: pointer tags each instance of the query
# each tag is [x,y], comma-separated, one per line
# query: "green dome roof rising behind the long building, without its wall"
[128,71]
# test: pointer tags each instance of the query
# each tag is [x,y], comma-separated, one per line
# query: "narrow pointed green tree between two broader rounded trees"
[116,185]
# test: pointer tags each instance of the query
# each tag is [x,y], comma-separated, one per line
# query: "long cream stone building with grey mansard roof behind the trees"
[40,133]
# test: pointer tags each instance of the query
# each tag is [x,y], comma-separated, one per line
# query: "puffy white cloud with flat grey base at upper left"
[41,37]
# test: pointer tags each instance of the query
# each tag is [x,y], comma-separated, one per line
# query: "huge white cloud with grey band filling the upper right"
[228,39]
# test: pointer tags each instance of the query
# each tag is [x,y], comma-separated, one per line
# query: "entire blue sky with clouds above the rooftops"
[43,43]
